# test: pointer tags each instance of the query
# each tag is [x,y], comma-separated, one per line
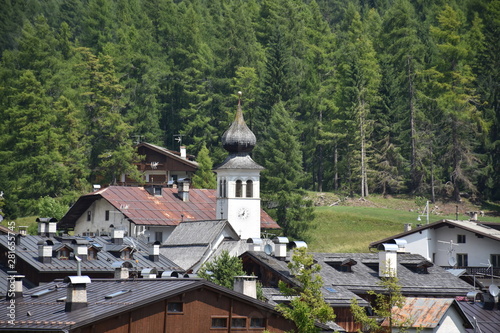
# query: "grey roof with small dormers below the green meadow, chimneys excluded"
[438,282]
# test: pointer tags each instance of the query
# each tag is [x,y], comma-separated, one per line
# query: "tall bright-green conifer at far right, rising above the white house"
[453,88]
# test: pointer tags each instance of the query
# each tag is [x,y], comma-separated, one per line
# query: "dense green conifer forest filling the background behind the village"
[349,96]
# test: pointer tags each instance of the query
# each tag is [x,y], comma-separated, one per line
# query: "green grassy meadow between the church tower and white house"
[352,227]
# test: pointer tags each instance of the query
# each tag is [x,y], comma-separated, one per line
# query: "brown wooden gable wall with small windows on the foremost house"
[201,310]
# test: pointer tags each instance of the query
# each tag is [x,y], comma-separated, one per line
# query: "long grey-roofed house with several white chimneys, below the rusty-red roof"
[46,257]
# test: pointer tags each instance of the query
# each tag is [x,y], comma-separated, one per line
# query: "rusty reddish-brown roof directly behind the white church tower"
[143,208]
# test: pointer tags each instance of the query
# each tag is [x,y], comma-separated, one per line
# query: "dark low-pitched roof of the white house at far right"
[488,230]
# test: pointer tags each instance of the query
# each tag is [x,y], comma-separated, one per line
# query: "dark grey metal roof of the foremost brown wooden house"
[48,313]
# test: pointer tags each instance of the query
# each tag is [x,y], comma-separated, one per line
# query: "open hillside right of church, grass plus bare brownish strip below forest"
[350,224]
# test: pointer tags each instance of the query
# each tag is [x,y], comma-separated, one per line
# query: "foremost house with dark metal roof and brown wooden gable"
[80,304]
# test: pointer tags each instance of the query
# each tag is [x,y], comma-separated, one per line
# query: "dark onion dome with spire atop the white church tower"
[239,138]
